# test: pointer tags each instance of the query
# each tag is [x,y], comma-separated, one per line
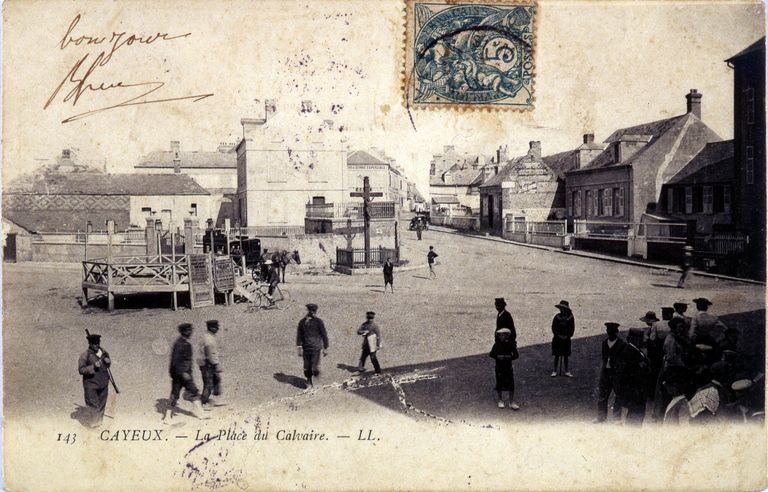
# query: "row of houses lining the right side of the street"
[674,170]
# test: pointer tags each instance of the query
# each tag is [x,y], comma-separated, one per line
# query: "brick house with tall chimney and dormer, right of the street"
[624,181]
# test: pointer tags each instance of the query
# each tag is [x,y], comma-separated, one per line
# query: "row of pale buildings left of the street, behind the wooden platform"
[266,179]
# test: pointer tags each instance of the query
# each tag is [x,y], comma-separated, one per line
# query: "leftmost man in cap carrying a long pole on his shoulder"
[93,365]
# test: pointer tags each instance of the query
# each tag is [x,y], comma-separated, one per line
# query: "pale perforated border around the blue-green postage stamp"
[408,61]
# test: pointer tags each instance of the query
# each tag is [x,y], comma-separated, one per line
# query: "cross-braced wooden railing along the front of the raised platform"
[159,270]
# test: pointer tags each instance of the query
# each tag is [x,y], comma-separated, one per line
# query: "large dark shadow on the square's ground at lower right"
[462,389]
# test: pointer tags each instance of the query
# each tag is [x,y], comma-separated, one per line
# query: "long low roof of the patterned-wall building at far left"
[107,184]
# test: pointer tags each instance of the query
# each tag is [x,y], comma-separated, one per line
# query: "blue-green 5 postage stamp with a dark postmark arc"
[470,55]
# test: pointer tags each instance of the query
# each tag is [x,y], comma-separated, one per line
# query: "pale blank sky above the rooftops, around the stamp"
[599,66]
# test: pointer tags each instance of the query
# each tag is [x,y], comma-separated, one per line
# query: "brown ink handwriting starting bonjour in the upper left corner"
[82,77]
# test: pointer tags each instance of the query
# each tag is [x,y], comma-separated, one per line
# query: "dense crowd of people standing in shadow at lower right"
[677,363]
